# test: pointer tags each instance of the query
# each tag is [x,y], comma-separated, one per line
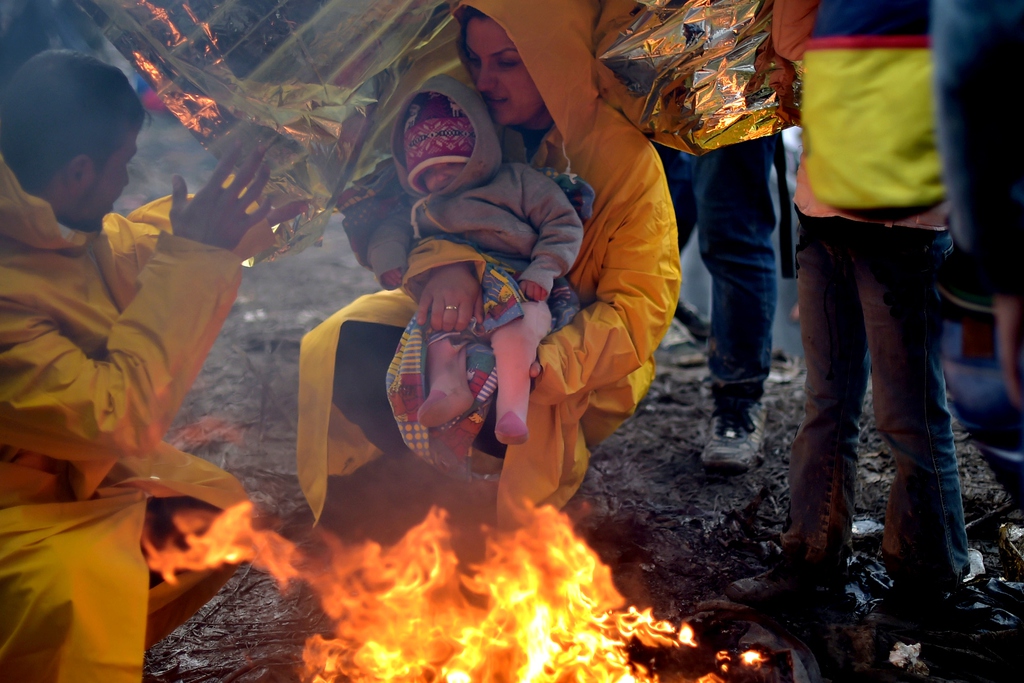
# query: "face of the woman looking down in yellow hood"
[502,78]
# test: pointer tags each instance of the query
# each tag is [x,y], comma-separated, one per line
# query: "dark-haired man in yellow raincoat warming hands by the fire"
[105,323]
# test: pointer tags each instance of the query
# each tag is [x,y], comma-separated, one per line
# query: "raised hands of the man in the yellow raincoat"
[217,216]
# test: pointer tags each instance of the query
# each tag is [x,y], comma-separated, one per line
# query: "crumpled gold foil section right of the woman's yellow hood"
[703,73]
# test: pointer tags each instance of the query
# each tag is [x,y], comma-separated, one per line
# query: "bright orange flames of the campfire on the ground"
[540,609]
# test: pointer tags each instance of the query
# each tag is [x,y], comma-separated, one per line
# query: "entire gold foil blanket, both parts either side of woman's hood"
[318,81]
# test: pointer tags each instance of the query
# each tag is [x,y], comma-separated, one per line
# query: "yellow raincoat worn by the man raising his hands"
[101,338]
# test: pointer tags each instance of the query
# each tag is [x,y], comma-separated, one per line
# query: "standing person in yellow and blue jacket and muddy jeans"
[869,304]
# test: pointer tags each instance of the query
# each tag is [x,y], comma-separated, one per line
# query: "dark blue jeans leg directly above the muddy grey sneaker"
[736,222]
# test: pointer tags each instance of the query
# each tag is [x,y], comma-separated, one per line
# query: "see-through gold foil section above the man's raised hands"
[312,80]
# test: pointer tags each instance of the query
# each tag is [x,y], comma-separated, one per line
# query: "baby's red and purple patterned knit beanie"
[438,132]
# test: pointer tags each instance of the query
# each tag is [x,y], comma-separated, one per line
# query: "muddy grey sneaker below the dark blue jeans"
[738,431]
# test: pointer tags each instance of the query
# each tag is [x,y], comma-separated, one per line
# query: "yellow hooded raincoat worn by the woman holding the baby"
[595,370]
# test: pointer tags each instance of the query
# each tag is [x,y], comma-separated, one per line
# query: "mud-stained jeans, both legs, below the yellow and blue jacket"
[869,305]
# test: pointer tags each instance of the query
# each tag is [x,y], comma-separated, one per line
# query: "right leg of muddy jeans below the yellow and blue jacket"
[925,542]
